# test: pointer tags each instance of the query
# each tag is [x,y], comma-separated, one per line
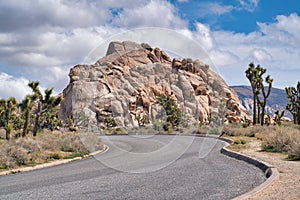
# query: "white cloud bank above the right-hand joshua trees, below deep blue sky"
[274,46]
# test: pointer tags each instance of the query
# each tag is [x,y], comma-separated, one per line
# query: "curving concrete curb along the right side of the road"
[270,171]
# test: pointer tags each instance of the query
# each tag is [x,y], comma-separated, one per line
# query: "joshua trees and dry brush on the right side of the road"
[277,136]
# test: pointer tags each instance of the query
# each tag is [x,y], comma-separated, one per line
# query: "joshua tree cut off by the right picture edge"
[293,94]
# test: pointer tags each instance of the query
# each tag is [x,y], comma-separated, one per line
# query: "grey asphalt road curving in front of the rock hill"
[158,167]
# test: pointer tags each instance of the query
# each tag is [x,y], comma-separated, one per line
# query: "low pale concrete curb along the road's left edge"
[50,164]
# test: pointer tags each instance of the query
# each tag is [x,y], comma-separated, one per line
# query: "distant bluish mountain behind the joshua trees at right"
[276,101]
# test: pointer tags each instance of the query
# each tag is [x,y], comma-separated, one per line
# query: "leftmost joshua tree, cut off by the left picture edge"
[7,107]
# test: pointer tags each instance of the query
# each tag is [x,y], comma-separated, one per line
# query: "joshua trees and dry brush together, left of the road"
[31,132]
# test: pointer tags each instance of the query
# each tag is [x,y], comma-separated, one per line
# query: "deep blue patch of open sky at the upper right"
[232,15]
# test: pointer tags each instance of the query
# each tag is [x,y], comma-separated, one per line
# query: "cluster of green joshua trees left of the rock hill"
[34,112]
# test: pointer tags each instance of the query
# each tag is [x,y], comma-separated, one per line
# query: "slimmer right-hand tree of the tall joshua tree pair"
[266,95]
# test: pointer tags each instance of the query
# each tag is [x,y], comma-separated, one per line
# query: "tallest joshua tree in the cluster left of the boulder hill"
[44,103]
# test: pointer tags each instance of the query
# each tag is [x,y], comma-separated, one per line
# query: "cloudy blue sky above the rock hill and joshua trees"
[42,40]
